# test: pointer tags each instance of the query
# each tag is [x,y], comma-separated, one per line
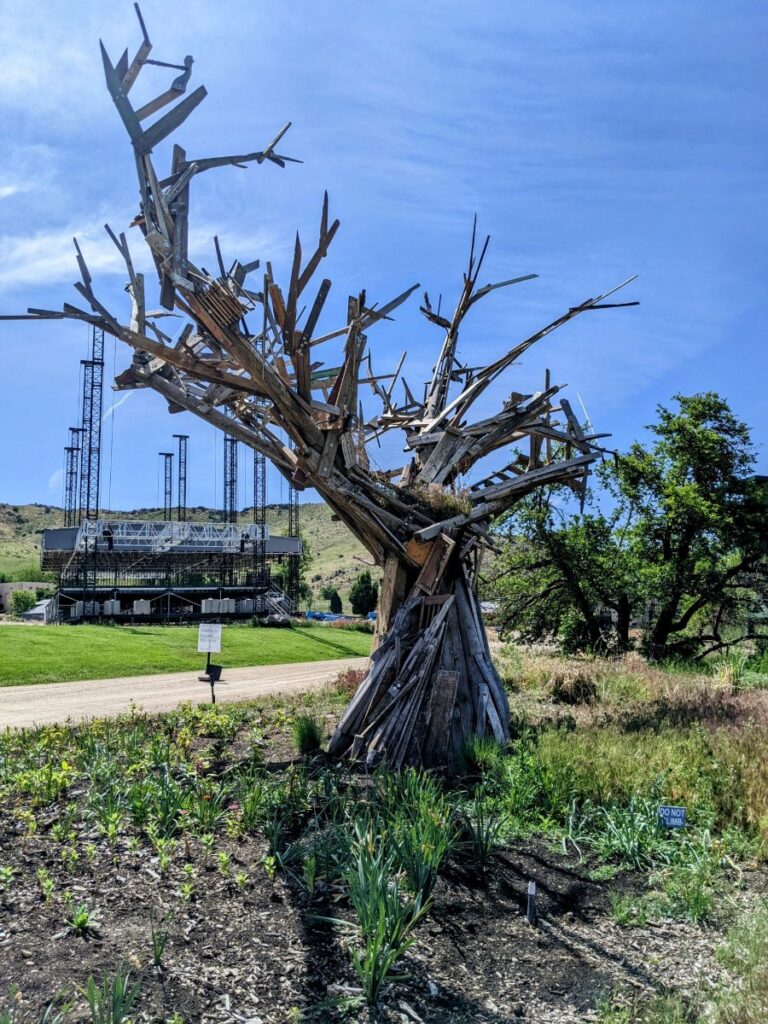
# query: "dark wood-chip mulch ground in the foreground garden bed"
[260,955]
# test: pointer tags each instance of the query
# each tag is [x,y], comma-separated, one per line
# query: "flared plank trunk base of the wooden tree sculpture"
[432,685]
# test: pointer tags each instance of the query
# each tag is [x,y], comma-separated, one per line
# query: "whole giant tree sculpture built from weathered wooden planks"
[432,682]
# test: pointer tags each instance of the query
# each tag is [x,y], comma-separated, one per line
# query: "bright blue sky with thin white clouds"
[594,142]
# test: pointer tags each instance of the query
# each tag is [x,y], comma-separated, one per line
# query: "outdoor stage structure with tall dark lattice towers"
[170,569]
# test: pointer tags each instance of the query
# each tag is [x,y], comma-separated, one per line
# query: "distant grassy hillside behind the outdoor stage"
[334,551]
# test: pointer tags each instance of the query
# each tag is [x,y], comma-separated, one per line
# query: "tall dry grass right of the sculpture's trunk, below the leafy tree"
[635,729]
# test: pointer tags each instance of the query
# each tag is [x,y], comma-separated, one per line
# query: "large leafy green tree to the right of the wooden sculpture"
[684,545]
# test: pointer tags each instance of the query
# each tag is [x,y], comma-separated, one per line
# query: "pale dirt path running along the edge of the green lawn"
[42,705]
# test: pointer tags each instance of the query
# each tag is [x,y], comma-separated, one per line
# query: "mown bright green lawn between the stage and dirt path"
[58,654]
